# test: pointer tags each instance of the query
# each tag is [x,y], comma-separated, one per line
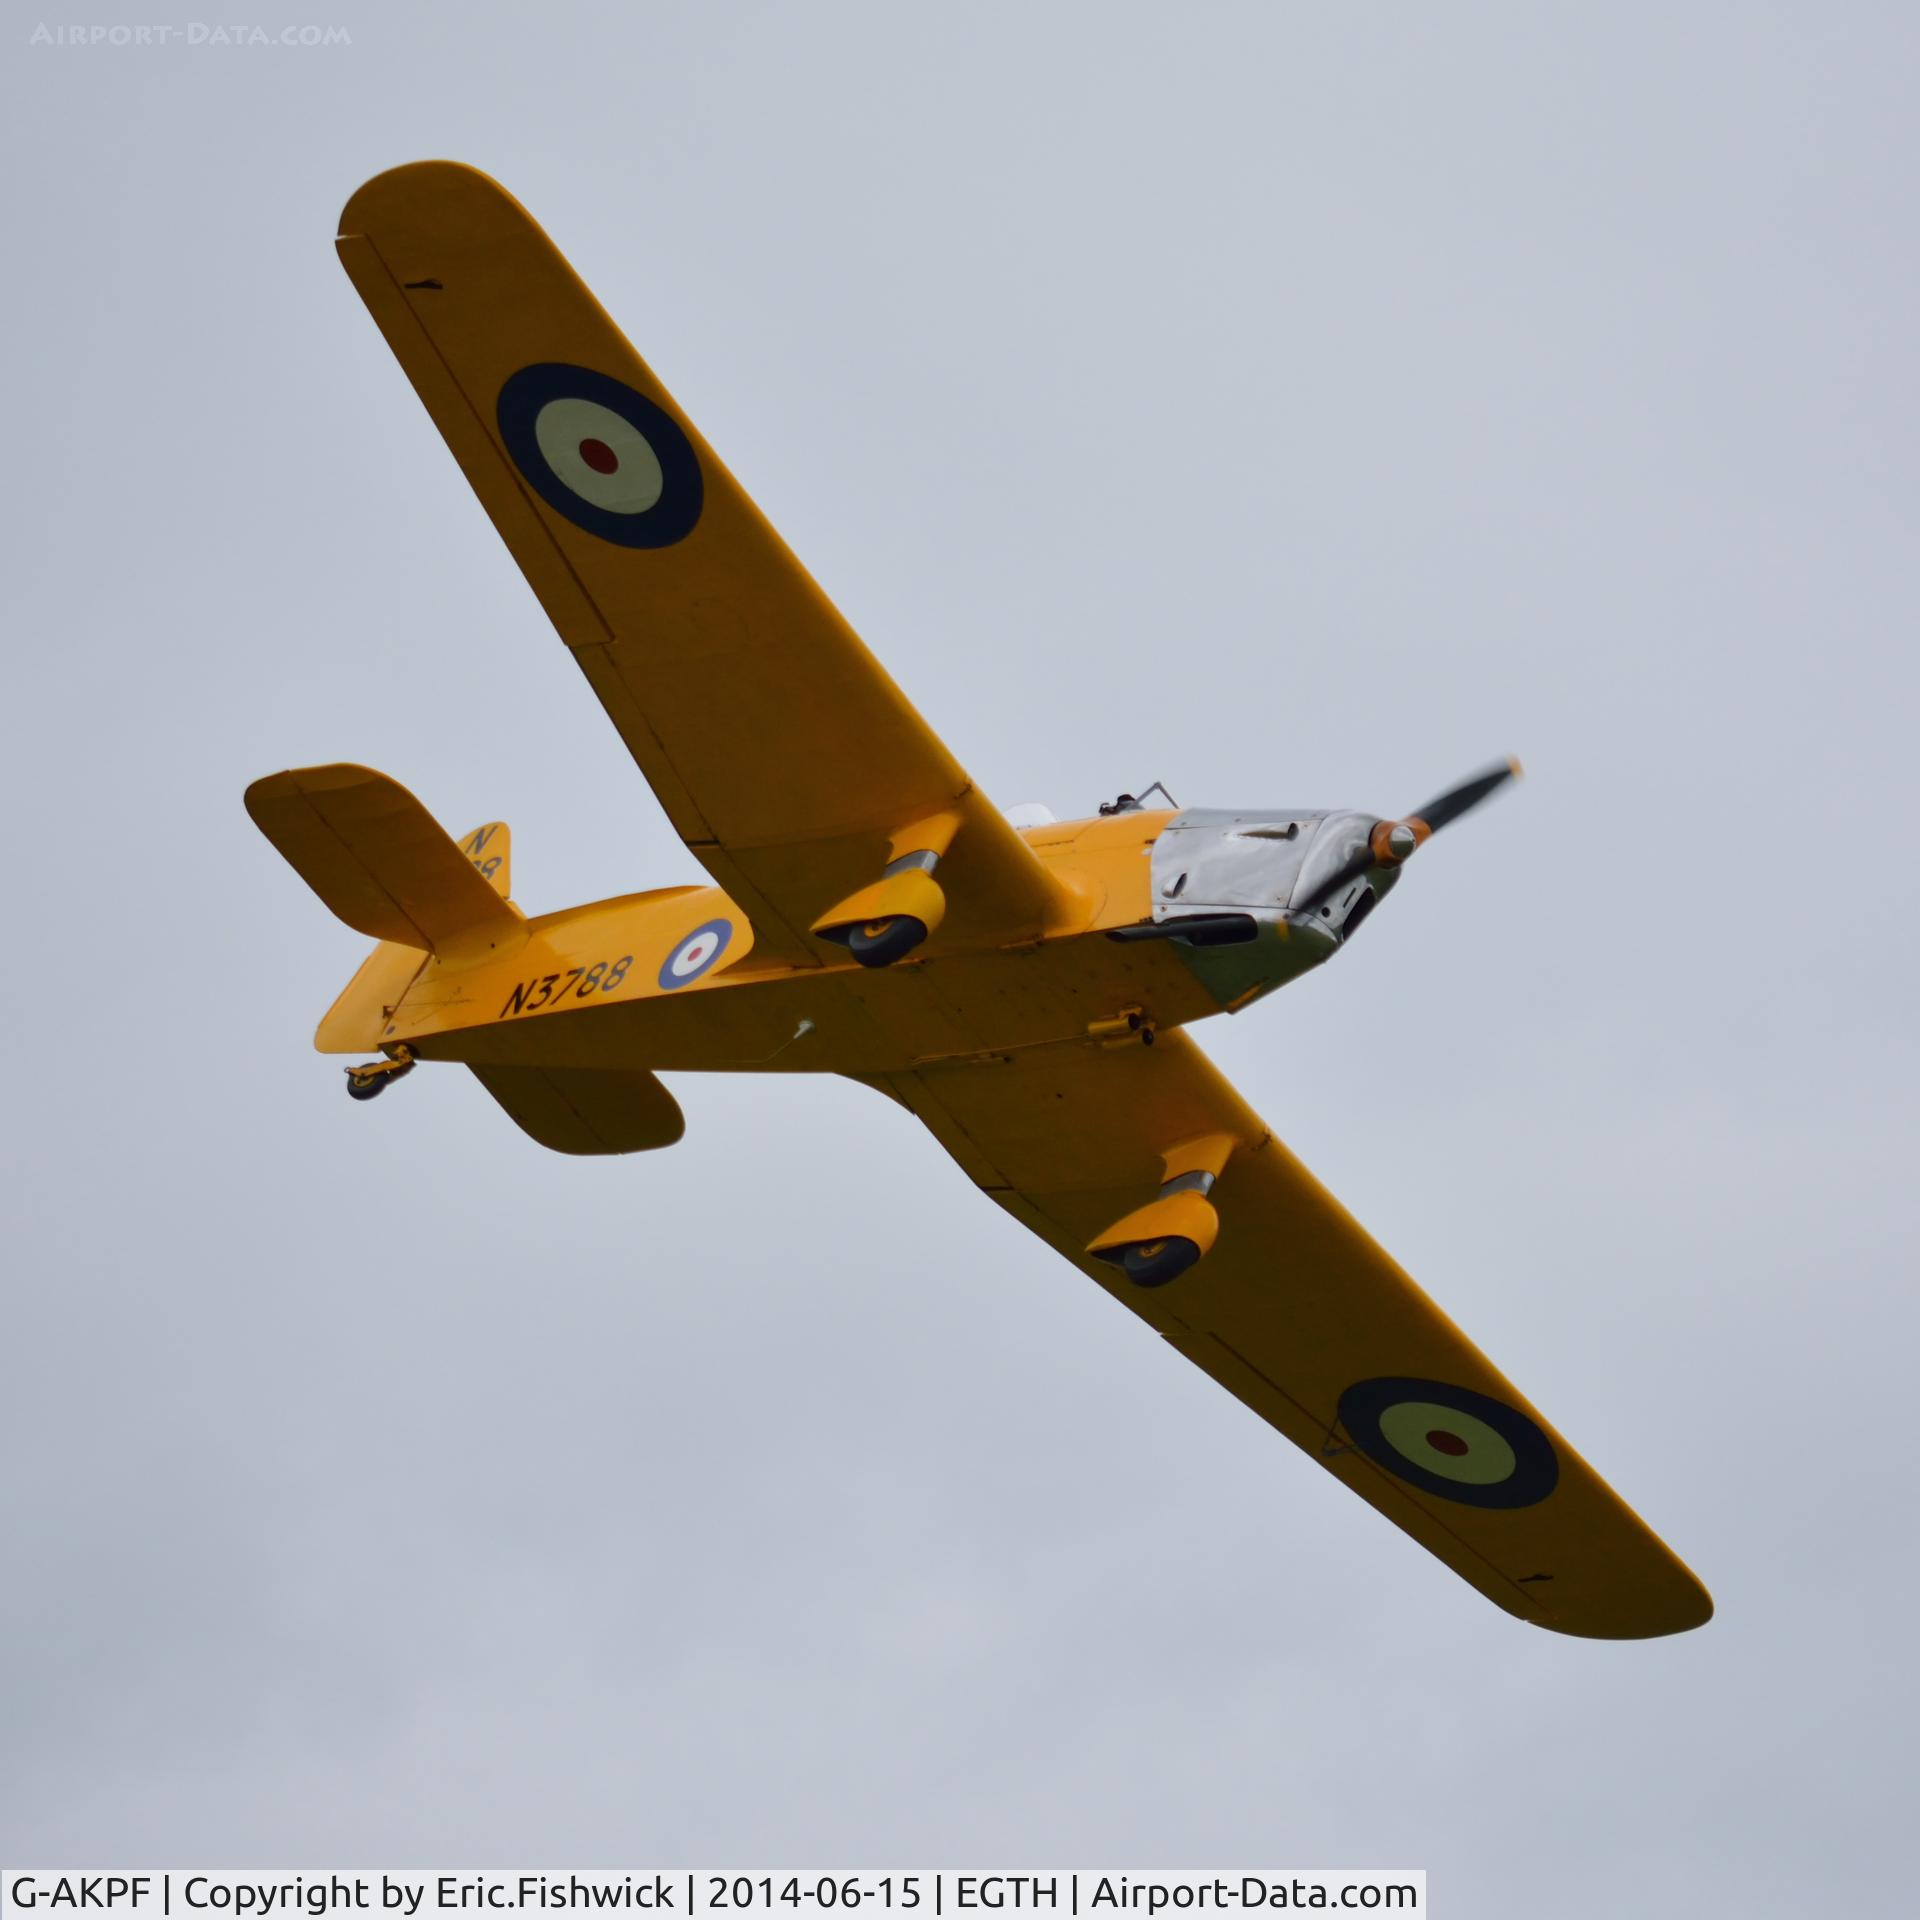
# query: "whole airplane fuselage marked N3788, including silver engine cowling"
[669,980]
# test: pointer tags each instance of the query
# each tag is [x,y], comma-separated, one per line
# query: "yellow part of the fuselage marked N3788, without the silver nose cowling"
[610,969]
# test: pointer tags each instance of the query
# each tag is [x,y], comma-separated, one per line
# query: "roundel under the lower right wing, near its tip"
[1451,1441]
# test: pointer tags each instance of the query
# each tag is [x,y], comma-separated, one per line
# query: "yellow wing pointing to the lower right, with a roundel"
[1307,1320]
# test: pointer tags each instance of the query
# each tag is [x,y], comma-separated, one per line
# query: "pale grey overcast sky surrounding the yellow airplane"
[1295,404]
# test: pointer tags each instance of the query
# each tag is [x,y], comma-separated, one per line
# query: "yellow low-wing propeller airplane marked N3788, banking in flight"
[1020,990]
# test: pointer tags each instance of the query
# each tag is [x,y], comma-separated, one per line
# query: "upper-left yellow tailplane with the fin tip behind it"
[385,867]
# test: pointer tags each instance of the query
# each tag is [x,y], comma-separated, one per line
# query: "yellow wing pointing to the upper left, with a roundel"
[780,750]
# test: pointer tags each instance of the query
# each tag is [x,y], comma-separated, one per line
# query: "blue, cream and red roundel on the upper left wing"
[602,454]
